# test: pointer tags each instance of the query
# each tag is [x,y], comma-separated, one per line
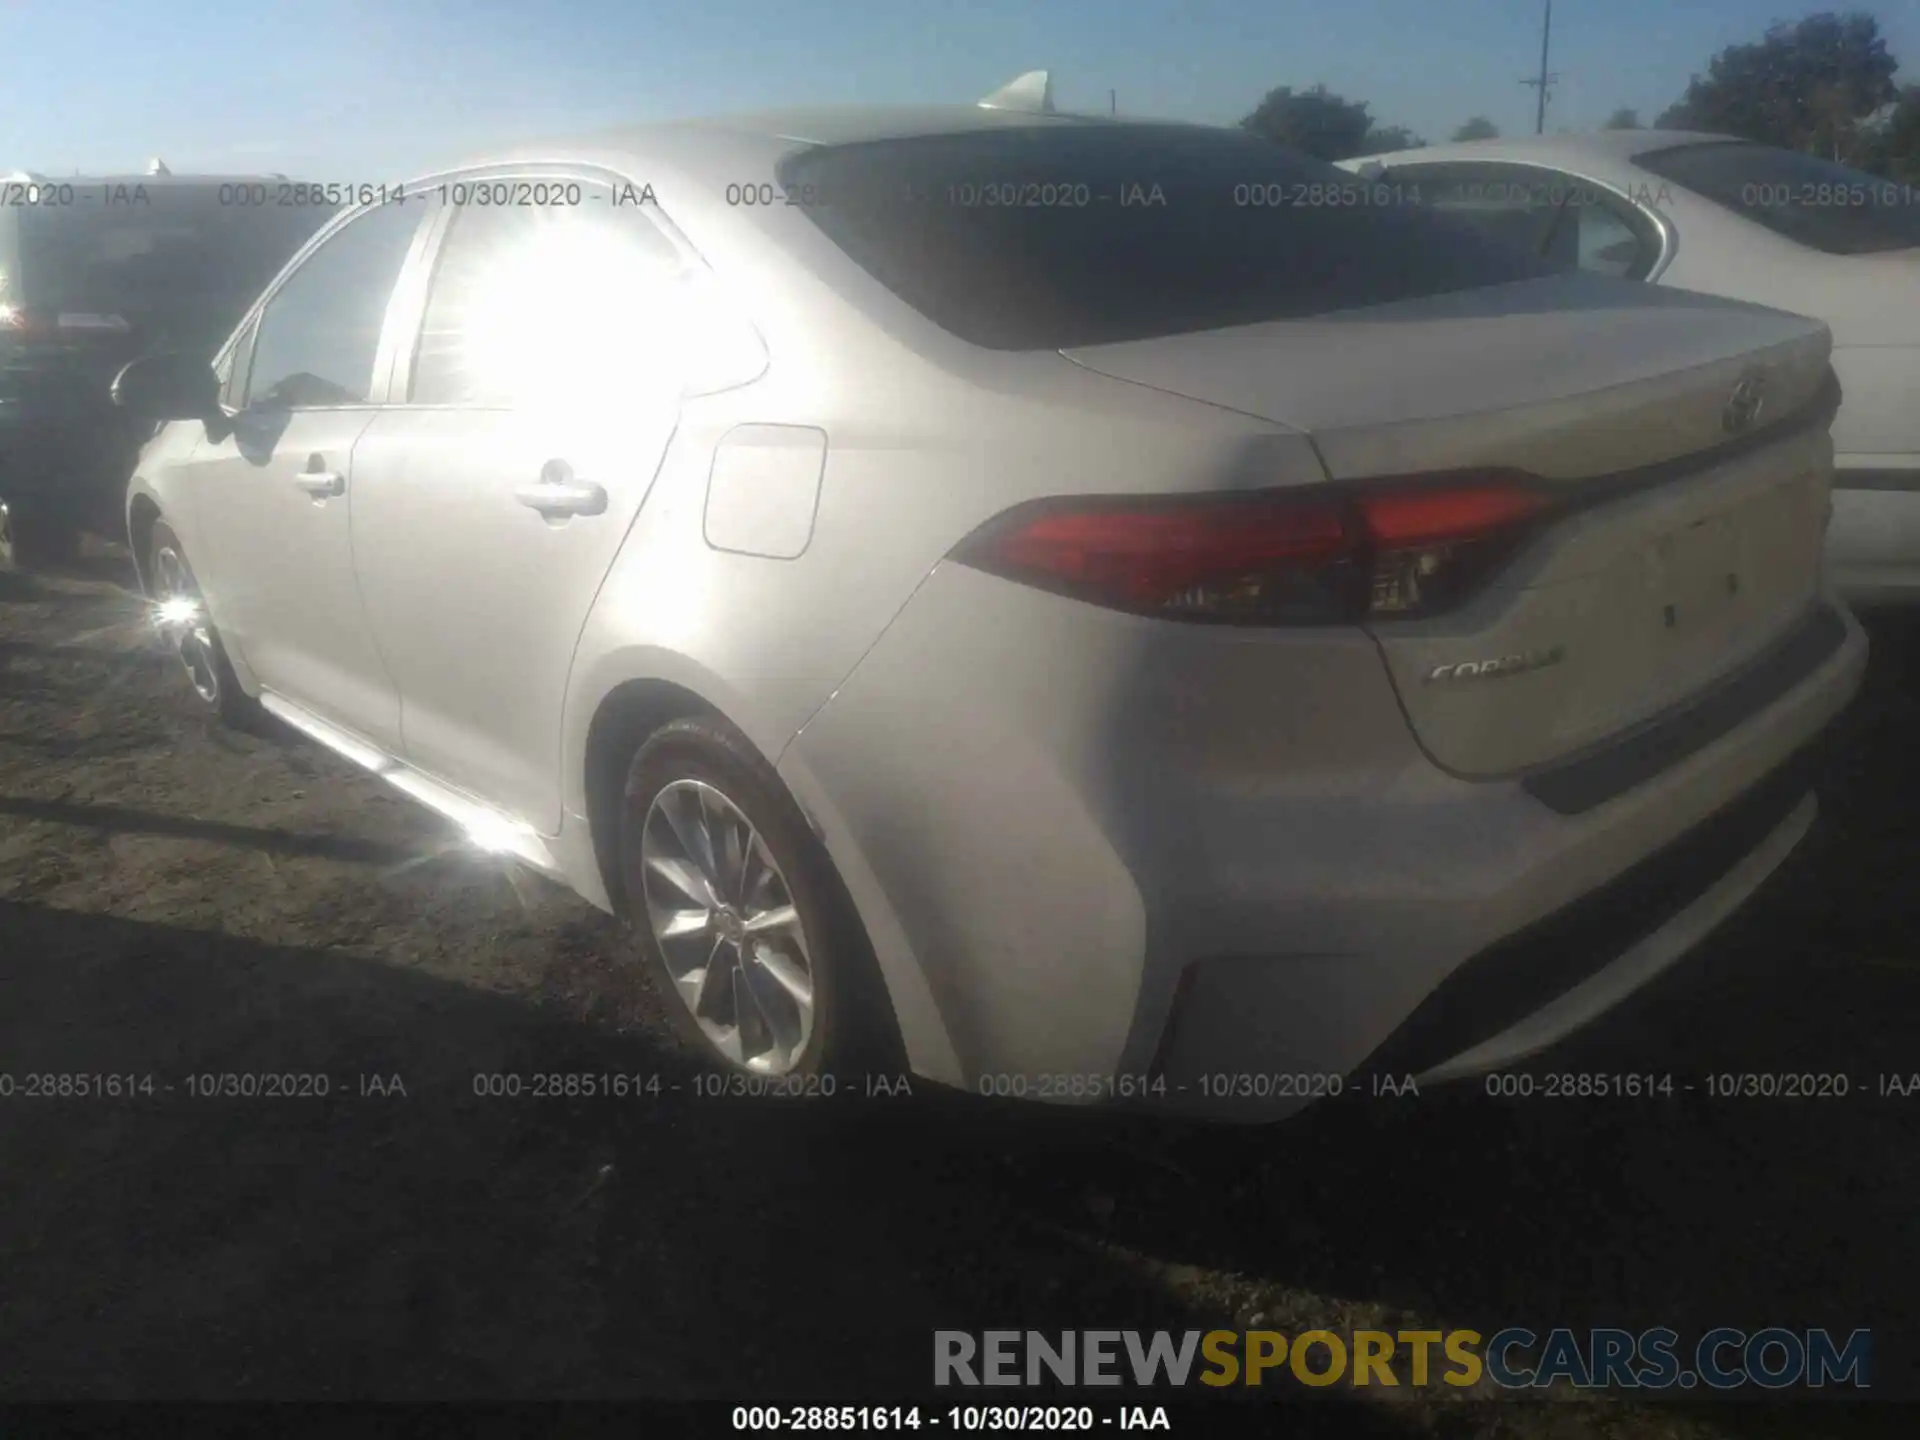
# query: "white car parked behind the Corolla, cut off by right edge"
[1731,218]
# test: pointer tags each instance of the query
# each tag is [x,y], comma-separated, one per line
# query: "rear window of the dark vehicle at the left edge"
[178,262]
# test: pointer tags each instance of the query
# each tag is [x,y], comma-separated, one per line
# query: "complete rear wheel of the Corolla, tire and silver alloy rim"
[740,911]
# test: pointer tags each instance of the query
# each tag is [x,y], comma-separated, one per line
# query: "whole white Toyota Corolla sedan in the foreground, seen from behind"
[988,590]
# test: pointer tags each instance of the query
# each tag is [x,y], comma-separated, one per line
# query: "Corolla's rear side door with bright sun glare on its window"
[492,498]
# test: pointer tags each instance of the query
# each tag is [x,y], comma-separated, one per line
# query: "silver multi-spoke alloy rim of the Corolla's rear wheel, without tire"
[725,923]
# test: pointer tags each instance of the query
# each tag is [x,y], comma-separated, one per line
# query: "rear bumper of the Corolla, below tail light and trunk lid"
[1116,850]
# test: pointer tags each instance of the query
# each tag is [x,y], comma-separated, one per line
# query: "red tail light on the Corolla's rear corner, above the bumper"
[1272,558]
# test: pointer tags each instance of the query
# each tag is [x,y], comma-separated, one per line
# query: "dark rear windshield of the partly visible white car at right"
[1806,199]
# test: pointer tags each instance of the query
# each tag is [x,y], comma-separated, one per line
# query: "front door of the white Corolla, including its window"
[272,498]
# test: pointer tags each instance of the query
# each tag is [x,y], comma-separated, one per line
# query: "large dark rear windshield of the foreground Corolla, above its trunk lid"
[1078,235]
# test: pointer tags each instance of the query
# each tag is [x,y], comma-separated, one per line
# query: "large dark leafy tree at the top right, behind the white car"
[1808,85]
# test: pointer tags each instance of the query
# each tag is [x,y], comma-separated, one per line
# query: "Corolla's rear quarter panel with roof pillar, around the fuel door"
[926,439]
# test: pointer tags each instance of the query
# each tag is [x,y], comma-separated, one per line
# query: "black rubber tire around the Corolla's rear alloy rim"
[853,1028]
